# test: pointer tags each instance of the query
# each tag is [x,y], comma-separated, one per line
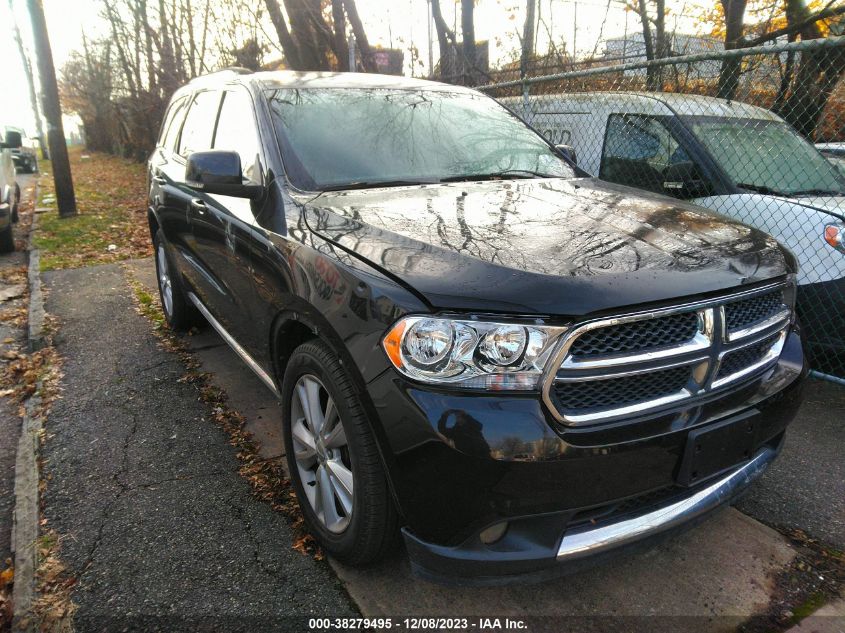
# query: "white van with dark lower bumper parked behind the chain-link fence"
[737,159]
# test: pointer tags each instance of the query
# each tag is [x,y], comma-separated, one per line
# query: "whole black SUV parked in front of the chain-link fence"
[514,365]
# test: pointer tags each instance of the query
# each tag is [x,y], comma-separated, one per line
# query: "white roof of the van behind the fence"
[680,104]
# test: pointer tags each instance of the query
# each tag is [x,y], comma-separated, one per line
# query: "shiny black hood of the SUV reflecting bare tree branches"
[546,246]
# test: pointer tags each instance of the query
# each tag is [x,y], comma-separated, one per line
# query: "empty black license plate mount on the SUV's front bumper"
[716,449]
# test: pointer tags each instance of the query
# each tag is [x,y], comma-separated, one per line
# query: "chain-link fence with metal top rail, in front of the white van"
[732,131]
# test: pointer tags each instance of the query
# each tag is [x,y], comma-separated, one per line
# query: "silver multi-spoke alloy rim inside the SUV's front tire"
[321,453]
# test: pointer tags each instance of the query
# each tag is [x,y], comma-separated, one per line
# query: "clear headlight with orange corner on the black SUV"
[471,353]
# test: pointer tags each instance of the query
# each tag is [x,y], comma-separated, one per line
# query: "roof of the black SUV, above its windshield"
[297,79]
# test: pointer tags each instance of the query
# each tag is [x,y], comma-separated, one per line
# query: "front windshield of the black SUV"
[338,137]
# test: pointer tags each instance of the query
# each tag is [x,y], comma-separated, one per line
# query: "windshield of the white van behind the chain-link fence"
[766,156]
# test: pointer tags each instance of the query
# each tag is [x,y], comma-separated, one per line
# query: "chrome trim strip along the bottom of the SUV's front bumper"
[588,540]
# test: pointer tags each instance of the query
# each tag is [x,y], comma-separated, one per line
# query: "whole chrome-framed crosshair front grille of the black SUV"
[632,365]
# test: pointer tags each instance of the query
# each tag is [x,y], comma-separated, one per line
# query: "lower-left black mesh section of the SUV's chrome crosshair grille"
[592,395]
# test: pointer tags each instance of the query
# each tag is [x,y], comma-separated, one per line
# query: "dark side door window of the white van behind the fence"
[637,150]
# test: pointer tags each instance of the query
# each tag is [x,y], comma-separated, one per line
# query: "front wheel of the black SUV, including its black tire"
[356,531]
